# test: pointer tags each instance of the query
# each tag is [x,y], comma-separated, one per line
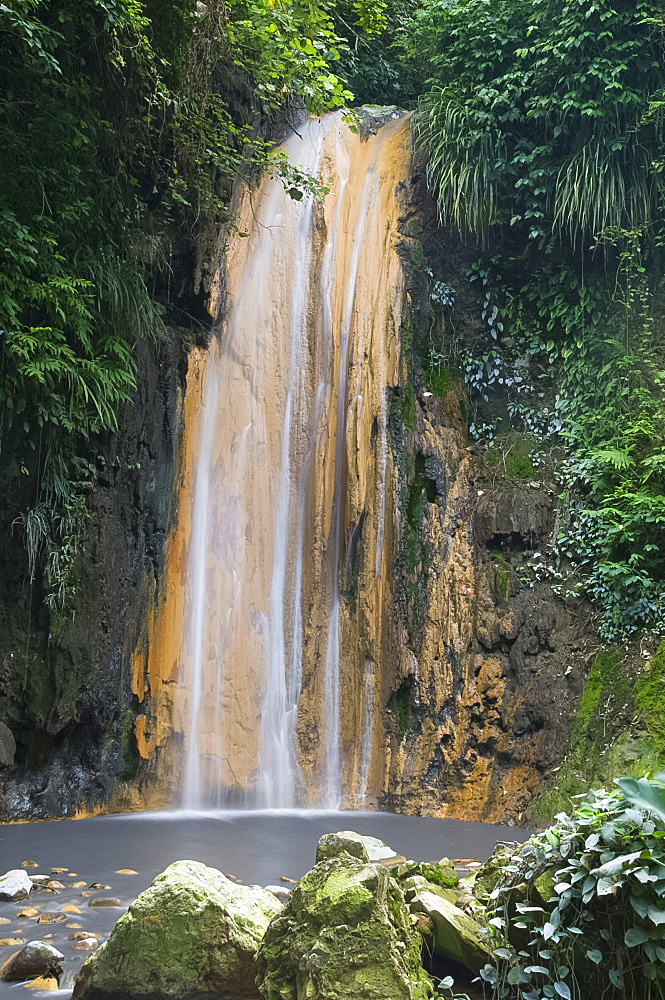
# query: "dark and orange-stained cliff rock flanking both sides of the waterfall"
[464,668]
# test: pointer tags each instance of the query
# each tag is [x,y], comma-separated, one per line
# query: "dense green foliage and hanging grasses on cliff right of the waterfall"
[542,125]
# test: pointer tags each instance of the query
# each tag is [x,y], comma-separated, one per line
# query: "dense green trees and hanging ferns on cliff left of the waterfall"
[123,127]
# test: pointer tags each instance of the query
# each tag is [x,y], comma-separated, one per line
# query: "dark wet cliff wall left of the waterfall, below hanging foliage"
[67,734]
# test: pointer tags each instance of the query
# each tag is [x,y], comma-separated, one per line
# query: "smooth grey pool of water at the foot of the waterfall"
[258,848]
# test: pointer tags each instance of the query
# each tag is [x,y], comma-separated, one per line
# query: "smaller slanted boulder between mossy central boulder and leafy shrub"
[457,936]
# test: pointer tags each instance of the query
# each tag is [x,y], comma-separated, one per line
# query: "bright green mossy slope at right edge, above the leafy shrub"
[619,729]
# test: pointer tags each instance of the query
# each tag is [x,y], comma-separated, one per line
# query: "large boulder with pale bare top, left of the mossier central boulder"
[192,932]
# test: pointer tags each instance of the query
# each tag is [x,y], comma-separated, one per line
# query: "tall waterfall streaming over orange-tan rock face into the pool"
[285,475]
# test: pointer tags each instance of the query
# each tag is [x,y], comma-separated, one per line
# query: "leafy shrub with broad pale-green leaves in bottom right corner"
[582,906]
